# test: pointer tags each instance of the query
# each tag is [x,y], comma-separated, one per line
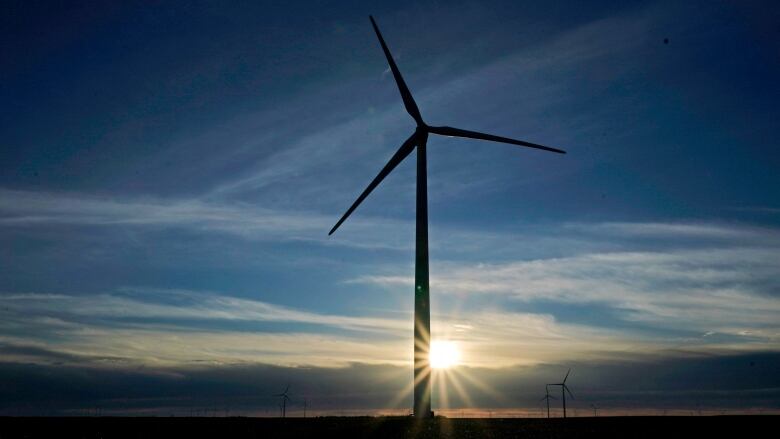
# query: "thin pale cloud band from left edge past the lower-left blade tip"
[31,208]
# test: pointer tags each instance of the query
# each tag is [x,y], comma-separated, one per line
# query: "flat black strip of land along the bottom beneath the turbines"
[386,427]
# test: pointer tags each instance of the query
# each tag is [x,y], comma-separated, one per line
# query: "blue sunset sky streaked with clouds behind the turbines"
[169,173]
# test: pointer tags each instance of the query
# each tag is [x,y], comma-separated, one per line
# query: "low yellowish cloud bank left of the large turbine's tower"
[172,327]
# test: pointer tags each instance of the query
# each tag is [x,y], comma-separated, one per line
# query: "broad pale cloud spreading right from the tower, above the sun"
[726,286]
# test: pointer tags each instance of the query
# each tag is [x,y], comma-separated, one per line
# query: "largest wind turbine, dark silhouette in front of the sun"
[419,139]
